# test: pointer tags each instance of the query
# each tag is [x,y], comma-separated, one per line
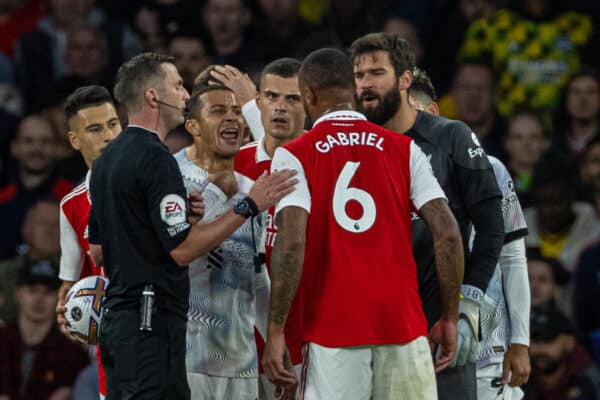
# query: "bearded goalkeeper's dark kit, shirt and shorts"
[464,172]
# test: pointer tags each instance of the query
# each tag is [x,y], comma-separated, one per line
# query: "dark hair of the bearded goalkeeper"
[401,54]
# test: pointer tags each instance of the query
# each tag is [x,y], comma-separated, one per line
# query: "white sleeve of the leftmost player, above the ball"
[71,255]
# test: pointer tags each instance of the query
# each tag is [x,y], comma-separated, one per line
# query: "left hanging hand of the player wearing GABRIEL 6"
[276,362]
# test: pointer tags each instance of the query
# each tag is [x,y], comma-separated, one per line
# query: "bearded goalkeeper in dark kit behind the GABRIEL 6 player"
[383,65]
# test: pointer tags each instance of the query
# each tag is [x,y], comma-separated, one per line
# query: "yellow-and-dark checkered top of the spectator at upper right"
[533,52]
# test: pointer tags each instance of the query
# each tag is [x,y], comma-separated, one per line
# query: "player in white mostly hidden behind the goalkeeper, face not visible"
[503,352]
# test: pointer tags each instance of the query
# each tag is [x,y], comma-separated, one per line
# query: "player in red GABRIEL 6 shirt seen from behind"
[347,230]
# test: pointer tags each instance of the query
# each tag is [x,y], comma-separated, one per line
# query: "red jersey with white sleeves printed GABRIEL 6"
[358,181]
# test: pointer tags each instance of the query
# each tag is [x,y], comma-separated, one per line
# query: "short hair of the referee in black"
[134,75]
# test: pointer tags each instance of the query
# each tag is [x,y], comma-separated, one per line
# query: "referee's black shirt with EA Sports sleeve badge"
[139,215]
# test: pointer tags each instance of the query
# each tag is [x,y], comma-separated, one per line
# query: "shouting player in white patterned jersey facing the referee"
[228,295]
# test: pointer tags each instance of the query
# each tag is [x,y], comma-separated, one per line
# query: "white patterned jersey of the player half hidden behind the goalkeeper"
[494,317]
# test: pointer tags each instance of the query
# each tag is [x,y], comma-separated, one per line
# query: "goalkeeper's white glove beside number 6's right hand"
[467,345]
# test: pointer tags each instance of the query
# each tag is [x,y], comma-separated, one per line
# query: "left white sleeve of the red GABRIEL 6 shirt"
[300,197]
